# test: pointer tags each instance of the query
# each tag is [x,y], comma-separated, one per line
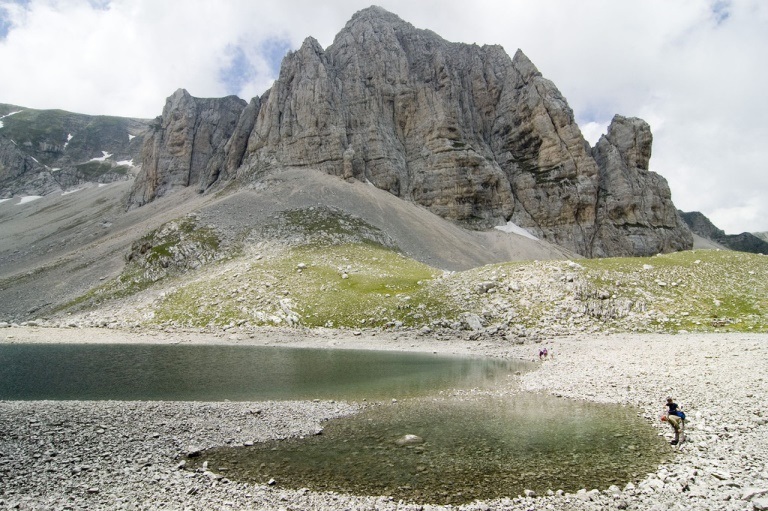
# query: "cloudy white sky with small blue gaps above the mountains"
[695,70]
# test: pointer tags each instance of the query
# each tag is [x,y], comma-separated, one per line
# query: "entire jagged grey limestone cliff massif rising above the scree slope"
[475,136]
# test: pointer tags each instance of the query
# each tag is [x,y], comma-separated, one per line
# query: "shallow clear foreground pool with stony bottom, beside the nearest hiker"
[467,449]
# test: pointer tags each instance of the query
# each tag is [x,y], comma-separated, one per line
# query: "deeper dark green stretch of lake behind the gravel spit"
[237,373]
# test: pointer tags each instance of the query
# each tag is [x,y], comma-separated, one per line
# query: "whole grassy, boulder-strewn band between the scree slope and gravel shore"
[321,268]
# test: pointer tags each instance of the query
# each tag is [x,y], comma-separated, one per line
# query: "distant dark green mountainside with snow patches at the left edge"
[43,151]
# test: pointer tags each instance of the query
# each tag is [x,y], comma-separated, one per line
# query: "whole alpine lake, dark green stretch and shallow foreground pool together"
[437,429]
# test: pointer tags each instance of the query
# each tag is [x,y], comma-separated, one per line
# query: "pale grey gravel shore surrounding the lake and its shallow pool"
[131,455]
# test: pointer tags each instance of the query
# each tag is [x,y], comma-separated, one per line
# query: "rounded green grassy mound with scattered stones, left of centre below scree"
[353,285]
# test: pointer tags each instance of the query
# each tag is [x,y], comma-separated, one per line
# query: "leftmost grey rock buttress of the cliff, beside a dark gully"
[184,143]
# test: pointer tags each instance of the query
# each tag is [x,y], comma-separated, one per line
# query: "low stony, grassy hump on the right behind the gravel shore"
[702,291]
